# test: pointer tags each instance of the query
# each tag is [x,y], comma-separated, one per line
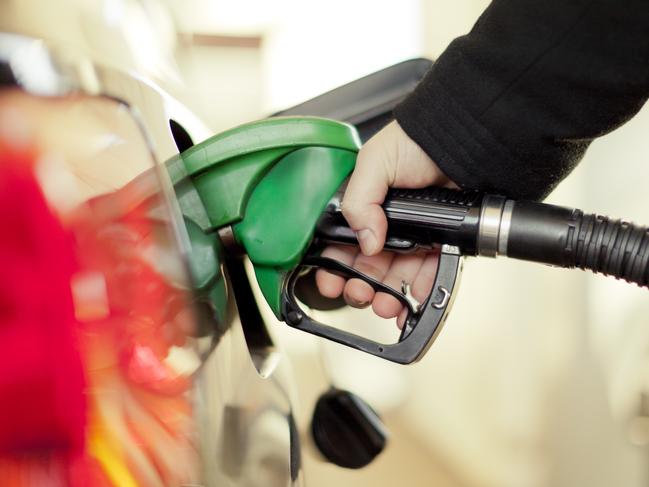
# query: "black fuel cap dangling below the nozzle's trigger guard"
[346,430]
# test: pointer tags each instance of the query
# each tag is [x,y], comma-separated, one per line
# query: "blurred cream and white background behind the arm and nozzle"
[541,376]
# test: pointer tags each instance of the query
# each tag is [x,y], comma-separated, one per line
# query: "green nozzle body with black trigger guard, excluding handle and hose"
[266,185]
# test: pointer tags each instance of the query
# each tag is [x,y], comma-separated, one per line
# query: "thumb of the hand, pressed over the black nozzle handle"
[365,192]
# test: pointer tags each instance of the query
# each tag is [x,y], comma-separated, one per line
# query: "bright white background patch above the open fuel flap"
[312,47]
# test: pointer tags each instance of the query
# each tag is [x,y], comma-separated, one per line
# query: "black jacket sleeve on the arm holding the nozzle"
[512,106]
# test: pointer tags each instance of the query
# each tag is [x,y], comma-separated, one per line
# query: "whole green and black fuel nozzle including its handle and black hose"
[274,188]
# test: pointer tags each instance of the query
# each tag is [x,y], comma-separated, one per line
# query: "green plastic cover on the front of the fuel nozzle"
[269,180]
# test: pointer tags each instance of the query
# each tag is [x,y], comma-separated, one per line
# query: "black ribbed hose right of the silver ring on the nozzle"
[569,238]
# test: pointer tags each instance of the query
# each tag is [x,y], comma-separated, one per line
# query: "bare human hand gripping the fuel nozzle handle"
[389,159]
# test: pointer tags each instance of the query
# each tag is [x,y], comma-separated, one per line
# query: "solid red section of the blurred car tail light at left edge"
[42,384]
